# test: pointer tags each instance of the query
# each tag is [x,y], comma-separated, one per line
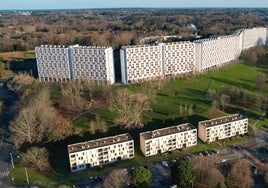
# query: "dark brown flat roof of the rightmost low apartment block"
[221,120]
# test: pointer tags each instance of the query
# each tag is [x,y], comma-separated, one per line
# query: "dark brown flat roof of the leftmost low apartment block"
[82,146]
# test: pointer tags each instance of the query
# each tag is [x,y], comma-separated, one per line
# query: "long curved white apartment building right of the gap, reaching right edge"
[179,58]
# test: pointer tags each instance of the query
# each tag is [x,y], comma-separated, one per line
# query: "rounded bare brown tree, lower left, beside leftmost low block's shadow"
[37,158]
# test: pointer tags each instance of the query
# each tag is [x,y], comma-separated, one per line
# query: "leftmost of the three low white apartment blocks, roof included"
[100,152]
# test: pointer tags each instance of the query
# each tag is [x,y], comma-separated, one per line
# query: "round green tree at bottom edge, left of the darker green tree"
[141,177]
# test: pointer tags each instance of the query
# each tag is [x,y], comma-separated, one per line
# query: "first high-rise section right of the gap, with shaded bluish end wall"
[141,63]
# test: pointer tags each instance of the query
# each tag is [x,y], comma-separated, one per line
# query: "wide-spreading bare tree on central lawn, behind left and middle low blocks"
[132,109]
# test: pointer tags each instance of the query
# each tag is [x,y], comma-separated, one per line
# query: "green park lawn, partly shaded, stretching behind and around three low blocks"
[238,88]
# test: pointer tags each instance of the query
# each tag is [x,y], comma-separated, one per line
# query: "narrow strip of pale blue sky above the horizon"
[83,4]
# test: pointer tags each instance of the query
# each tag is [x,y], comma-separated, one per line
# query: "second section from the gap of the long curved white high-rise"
[179,58]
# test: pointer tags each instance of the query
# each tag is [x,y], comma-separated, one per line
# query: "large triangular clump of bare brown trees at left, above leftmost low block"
[36,121]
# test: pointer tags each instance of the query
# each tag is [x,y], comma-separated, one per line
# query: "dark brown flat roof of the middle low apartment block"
[167,131]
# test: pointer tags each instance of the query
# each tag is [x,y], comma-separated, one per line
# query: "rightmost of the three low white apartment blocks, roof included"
[222,128]
